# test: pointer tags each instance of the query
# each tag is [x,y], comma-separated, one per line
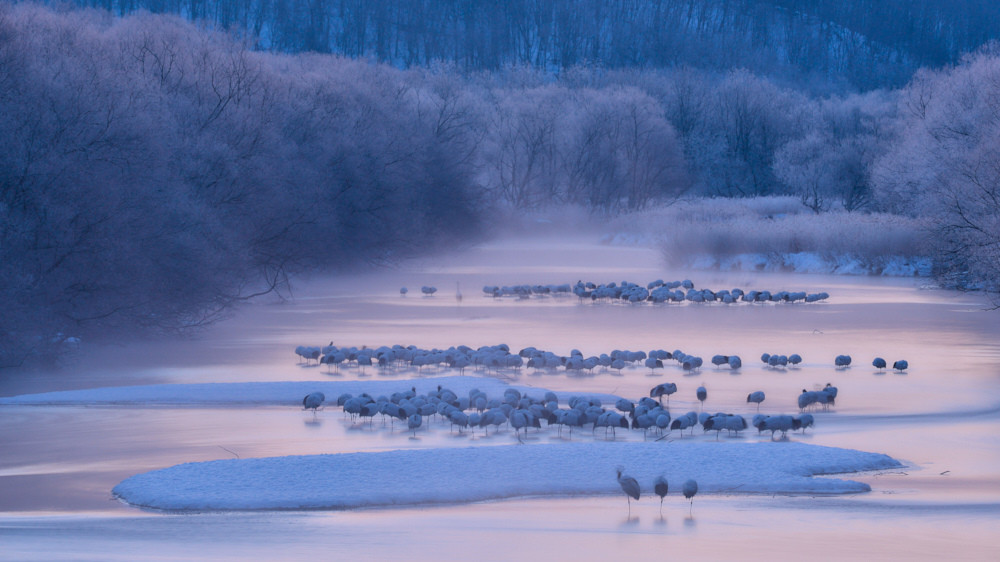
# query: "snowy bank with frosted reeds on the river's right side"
[776,234]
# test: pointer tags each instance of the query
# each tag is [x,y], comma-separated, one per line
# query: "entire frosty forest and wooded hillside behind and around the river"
[154,172]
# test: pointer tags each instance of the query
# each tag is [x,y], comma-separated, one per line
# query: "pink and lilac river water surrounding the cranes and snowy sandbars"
[941,419]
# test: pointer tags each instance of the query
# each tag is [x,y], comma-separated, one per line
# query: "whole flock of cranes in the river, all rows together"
[523,412]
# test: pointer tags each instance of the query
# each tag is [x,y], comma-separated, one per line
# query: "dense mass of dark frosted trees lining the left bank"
[153,174]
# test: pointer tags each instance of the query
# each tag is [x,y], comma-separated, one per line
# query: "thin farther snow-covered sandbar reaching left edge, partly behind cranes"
[272,393]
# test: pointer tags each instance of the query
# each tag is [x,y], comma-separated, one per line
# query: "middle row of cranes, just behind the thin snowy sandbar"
[499,357]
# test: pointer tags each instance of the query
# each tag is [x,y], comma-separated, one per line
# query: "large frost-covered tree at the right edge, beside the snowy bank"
[946,165]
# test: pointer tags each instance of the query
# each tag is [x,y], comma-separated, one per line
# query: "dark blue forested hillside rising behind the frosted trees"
[855,43]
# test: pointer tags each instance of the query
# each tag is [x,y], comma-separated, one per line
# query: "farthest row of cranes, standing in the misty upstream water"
[657,291]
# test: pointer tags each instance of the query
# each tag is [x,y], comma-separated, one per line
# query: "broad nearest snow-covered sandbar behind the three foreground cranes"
[410,477]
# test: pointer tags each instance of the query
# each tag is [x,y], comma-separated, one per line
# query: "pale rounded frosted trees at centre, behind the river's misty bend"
[609,149]
